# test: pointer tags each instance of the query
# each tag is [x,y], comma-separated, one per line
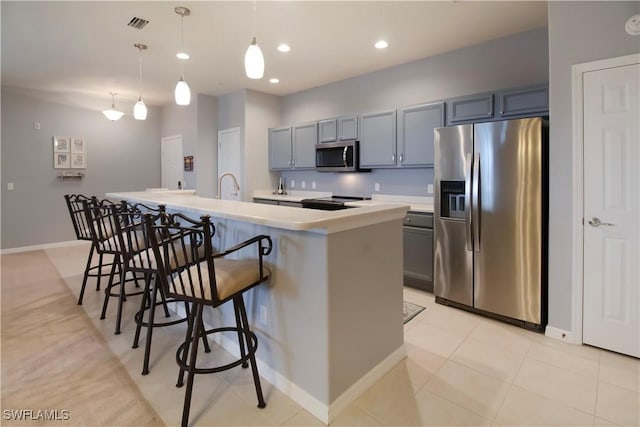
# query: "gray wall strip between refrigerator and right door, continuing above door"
[578,32]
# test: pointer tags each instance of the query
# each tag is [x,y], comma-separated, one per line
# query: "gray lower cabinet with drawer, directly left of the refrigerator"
[418,250]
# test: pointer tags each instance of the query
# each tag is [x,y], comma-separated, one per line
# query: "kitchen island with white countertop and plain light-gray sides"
[329,321]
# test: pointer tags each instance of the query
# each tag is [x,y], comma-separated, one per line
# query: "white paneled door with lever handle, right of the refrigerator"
[611,265]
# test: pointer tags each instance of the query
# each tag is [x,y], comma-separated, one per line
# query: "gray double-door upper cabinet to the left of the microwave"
[293,147]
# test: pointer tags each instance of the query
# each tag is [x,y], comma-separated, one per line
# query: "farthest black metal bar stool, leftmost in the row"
[83,232]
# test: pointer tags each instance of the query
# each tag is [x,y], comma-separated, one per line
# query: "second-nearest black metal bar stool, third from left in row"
[137,258]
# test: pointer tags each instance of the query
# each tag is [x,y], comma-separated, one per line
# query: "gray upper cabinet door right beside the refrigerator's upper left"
[415,133]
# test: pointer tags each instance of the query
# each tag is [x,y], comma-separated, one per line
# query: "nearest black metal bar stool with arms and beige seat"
[209,281]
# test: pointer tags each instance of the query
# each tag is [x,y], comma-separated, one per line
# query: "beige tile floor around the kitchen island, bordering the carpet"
[461,369]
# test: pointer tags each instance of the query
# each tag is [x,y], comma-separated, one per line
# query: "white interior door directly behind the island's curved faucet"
[229,160]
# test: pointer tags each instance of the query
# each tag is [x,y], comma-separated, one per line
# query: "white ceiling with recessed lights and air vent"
[86,47]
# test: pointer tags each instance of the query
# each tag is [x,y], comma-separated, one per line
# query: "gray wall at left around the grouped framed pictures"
[121,156]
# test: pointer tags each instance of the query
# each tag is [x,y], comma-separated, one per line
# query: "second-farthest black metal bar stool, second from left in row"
[102,219]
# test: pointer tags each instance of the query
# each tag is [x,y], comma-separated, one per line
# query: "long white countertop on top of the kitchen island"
[289,218]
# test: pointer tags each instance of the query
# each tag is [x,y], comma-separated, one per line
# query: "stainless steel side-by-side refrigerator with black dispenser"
[490,219]
